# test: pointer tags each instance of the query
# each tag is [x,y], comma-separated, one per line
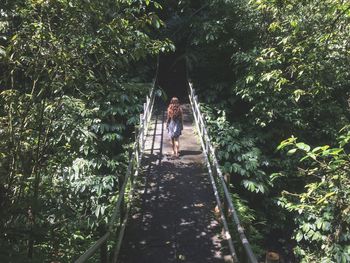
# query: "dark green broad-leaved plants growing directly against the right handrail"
[241,160]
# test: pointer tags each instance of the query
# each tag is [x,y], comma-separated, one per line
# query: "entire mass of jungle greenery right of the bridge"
[267,71]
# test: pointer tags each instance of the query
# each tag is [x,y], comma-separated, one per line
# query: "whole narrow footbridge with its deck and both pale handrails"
[172,209]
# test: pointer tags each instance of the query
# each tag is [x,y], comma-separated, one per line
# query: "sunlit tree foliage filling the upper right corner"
[298,72]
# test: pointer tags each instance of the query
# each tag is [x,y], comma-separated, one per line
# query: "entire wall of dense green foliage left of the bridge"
[67,114]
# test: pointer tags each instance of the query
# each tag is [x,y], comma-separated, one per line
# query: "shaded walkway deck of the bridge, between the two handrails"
[173,219]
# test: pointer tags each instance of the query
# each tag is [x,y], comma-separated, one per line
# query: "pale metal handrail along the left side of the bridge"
[131,173]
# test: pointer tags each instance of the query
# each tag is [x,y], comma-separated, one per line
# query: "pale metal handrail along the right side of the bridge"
[209,153]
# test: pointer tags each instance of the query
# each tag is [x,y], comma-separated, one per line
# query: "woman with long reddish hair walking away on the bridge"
[175,124]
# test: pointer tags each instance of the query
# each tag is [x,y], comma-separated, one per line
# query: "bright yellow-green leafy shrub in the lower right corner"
[323,207]
